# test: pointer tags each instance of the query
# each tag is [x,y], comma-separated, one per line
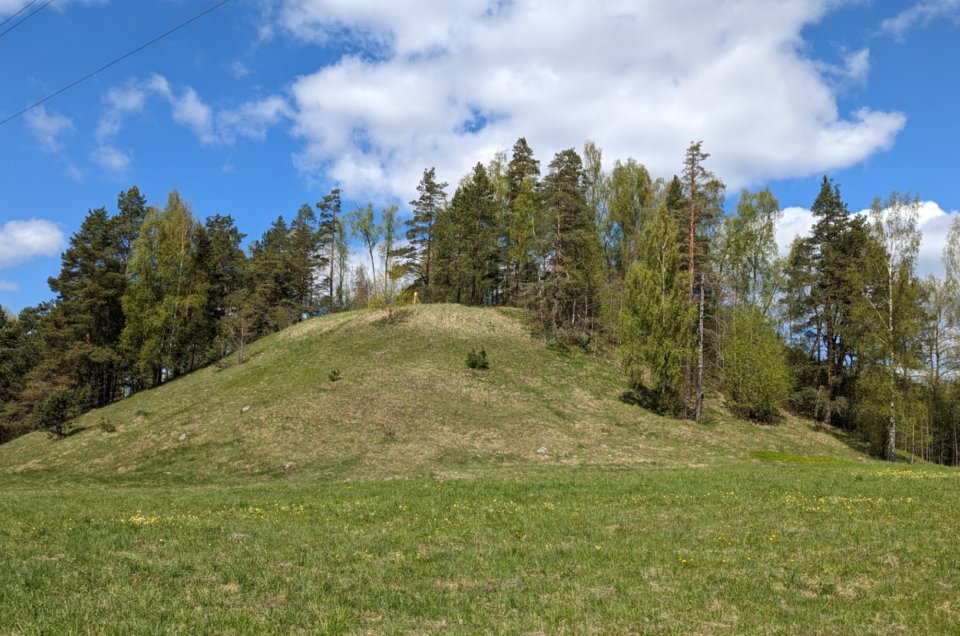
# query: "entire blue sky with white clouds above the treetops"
[262,105]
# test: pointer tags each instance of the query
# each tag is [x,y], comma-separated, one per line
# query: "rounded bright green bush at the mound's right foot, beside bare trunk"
[756,377]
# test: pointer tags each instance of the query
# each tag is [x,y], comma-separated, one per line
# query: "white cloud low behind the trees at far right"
[932,220]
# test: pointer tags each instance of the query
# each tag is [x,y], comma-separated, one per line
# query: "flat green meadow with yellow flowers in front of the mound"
[774,545]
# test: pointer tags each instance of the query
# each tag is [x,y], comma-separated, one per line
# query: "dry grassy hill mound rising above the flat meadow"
[406,404]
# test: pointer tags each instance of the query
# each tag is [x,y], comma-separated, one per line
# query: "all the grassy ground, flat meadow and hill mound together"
[417,496]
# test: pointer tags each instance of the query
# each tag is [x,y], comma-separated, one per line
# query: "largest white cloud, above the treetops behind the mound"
[447,84]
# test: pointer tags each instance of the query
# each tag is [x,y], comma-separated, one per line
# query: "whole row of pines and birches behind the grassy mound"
[698,304]
